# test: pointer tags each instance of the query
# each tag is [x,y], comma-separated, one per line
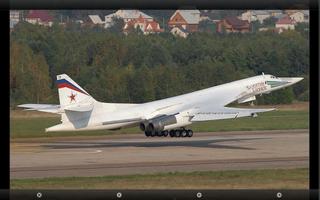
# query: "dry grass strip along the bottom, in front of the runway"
[244,179]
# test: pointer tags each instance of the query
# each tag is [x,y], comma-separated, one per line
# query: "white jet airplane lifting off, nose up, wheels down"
[81,112]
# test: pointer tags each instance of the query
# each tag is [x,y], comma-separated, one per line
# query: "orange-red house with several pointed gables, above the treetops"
[145,25]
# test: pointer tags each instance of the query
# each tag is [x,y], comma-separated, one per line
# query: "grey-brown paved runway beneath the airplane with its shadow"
[136,154]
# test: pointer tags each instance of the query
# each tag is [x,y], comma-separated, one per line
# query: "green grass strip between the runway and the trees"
[28,127]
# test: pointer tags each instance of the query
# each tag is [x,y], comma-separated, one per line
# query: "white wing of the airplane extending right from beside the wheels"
[226,113]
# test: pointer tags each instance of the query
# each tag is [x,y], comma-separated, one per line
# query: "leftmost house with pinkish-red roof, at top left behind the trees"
[40,17]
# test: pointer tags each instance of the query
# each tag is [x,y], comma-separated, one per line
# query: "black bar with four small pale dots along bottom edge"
[160,194]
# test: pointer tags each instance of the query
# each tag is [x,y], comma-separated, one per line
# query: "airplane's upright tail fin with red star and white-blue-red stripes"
[70,93]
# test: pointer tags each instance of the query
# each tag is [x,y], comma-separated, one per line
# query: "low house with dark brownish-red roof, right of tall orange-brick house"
[233,25]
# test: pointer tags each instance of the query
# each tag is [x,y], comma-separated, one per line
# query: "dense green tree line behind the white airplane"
[113,67]
